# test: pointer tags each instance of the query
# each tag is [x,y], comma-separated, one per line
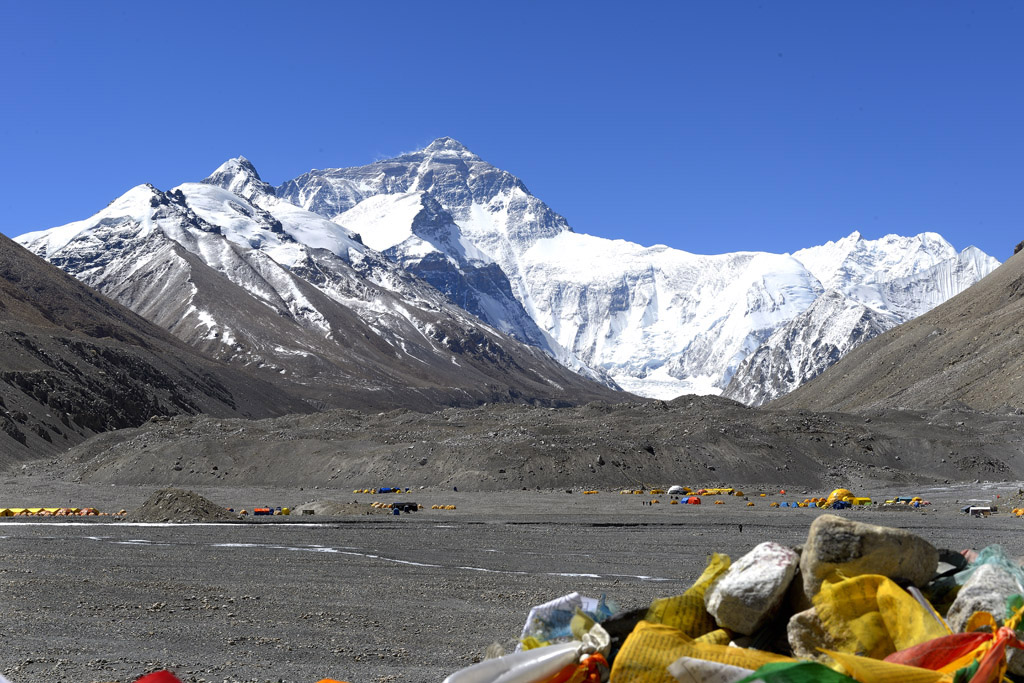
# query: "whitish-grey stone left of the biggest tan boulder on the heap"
[750,592]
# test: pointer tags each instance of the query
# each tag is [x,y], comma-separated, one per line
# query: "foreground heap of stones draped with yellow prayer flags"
[849,579]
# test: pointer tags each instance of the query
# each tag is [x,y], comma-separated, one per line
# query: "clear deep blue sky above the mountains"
[708,126]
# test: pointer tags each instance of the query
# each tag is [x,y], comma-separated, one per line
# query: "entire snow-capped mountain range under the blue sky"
[392,268]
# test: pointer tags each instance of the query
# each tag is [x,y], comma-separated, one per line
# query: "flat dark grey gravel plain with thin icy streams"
[372,597]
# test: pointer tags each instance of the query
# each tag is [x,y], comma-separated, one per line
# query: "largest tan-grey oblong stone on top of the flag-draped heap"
[835,544]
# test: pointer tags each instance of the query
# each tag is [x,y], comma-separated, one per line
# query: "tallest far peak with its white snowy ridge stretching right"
[661,322]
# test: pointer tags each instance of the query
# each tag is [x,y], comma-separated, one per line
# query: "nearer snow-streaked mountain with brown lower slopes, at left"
[270,286]
